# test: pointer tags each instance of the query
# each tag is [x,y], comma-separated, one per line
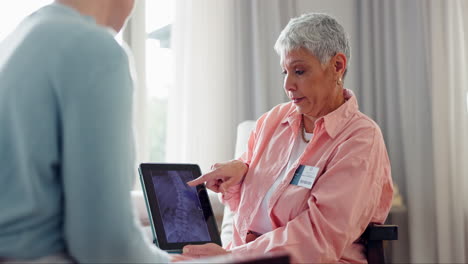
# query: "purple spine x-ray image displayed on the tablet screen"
[180,208]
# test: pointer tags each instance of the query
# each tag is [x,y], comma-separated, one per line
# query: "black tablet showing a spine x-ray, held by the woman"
[179,214]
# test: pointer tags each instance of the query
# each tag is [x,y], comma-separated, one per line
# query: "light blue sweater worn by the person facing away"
[66,143]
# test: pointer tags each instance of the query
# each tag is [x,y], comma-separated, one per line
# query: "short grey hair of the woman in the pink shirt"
[319,33]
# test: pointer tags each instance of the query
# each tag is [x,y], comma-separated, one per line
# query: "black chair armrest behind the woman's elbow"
[373,238]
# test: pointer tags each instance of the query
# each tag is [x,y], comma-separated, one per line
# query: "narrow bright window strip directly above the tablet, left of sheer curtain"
[159,72]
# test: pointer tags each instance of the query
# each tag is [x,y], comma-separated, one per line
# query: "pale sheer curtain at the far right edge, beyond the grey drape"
[449,71]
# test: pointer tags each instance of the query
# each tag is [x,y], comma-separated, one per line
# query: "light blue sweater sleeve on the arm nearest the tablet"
[95,91]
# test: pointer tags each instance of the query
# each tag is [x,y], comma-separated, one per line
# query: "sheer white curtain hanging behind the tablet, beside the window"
[201,117]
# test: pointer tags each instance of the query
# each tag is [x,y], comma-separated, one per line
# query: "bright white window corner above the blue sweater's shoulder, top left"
[12,12]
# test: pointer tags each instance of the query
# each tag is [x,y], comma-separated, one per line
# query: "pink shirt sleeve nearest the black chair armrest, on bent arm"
[343,201]
